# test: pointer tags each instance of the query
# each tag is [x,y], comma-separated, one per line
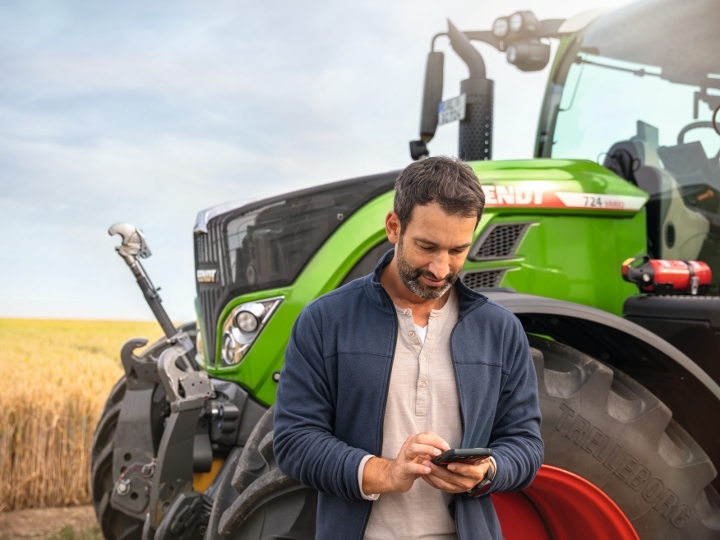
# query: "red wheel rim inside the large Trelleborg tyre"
[560,505]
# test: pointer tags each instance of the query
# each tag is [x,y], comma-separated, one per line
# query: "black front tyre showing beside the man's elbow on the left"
[265,504]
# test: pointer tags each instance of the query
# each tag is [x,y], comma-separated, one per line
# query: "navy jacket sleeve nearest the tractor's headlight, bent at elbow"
[304,445]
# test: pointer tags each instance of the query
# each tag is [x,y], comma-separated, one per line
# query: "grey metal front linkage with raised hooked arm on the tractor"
[153,482]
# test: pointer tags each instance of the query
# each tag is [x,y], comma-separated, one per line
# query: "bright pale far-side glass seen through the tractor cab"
[605,98]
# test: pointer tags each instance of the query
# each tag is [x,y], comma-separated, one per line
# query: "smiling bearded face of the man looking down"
[432,249]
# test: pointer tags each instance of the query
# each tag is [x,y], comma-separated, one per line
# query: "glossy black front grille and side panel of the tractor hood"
[265,245]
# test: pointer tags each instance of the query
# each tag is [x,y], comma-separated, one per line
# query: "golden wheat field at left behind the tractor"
[54,378]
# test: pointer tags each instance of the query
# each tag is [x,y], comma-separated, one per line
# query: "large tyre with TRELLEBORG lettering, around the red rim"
[602,425]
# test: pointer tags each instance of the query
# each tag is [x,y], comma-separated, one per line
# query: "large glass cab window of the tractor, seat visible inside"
[636,92]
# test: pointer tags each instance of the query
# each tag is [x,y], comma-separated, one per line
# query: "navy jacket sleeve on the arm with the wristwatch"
[516,442]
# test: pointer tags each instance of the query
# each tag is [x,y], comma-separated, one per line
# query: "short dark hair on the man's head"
[447,181]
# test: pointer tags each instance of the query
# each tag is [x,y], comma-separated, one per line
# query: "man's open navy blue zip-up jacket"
[331,399]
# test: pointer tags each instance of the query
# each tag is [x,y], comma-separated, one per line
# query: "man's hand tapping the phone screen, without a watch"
[413,460]
